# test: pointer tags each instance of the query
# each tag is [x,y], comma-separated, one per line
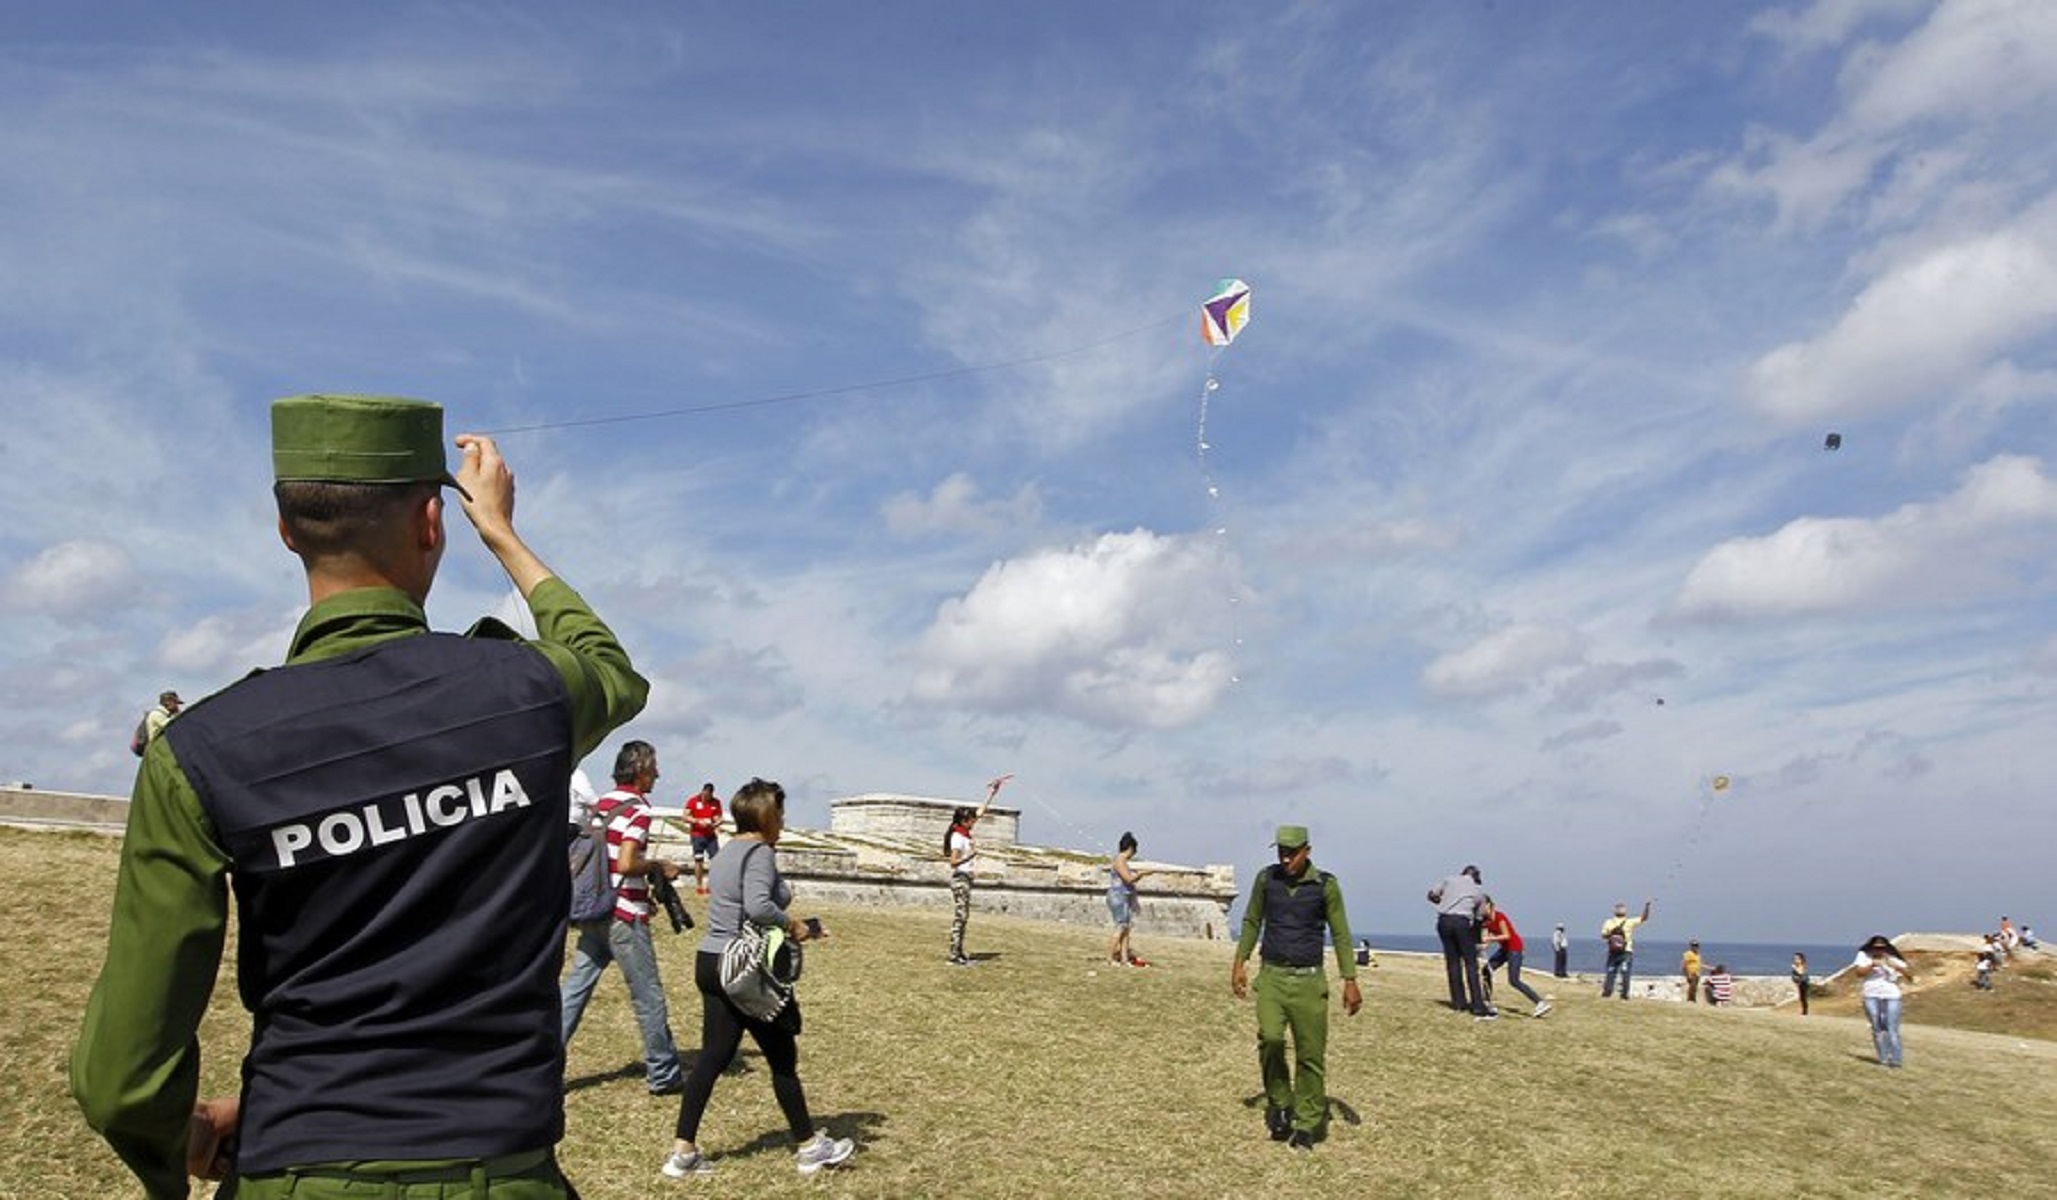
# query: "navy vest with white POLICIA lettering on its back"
[396,818]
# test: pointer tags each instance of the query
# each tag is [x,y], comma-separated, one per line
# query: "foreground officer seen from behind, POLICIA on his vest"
[390,812]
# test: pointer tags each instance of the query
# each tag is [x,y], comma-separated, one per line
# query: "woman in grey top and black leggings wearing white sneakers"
[748,888]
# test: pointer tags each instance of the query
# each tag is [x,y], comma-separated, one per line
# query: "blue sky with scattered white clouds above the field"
[849,361]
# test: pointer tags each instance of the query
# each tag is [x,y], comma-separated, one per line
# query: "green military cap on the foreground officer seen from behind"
[359,439]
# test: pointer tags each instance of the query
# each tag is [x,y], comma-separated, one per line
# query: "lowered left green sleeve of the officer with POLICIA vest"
[137,1067]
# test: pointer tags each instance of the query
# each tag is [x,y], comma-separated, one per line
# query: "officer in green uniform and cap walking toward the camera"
[1289,907]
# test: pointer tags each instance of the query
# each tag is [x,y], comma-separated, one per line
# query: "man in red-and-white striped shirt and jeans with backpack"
[626,938]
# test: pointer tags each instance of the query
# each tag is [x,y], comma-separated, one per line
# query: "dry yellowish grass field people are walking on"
[1044,1073]
